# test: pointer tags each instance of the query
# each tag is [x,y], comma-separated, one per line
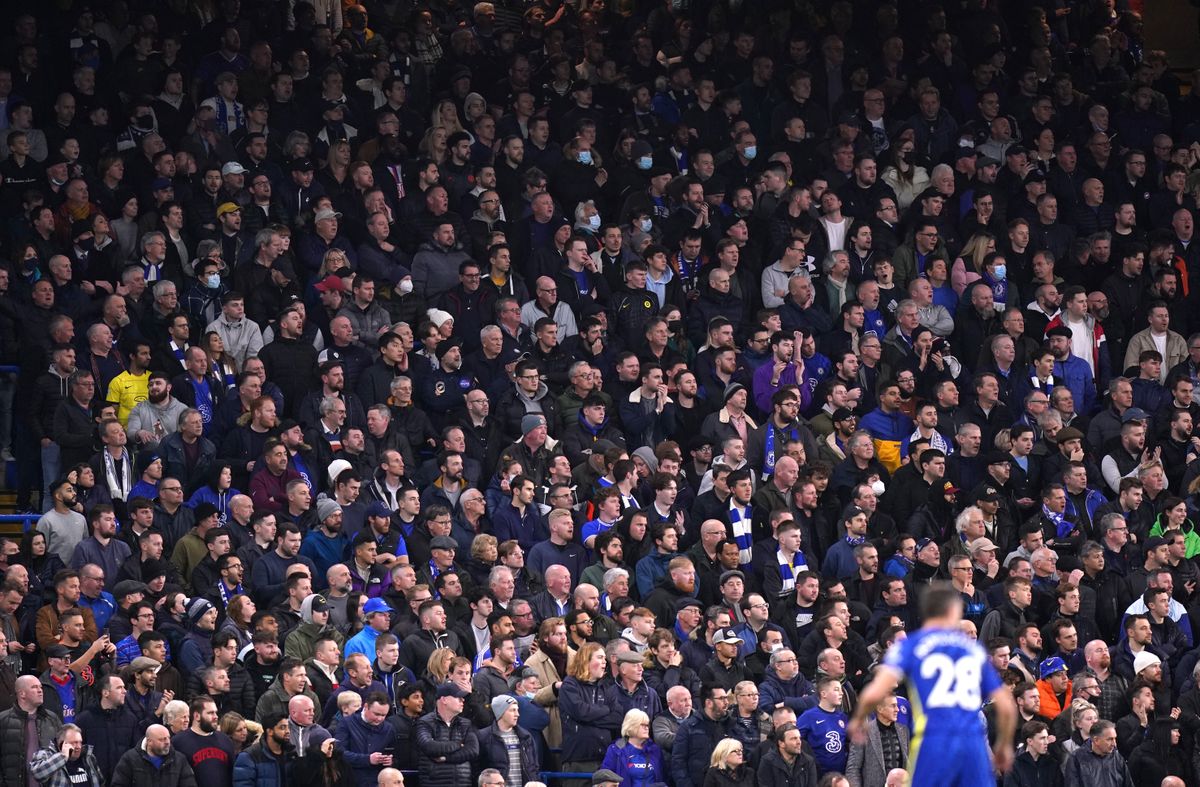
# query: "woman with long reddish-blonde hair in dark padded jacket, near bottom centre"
[590,722]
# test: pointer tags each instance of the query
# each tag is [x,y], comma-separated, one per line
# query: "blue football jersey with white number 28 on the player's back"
[949,677]
